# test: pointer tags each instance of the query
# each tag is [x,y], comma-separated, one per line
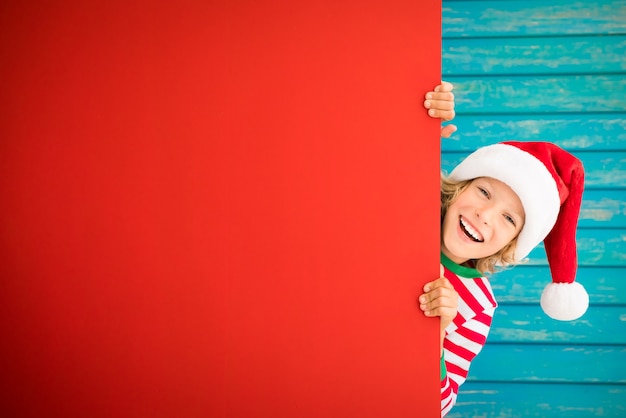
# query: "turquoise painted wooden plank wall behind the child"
[548,70]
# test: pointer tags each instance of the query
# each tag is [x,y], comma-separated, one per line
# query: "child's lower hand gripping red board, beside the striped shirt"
[440,299]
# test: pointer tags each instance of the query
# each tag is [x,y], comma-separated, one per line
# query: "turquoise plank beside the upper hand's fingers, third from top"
[540,94]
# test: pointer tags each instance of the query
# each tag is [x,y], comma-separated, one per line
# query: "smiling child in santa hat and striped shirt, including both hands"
[496,206]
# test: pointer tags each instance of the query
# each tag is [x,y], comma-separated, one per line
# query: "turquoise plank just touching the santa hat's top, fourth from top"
[588,131]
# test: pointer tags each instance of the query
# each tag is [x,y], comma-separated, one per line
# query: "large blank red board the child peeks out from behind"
[218,209]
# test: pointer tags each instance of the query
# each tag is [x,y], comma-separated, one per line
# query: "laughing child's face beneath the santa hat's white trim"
[484,218]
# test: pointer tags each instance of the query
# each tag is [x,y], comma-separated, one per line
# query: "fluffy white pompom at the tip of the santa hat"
[564,301]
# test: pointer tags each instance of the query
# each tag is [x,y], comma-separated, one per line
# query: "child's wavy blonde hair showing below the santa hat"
[450,190]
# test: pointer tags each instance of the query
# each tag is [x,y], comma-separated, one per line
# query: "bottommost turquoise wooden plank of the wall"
[523,400]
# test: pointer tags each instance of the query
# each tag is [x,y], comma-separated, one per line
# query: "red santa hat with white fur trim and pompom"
[549,182]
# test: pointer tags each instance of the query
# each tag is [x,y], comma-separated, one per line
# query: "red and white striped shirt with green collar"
[467,333]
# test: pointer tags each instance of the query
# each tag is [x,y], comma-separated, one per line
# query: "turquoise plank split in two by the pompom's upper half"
[524,284]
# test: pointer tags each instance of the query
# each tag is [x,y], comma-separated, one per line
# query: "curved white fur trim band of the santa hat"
[530,180]
